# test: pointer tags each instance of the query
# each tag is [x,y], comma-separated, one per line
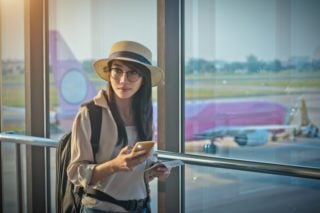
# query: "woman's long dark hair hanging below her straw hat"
[141,106]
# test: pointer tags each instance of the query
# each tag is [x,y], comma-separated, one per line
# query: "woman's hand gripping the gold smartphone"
[127,160]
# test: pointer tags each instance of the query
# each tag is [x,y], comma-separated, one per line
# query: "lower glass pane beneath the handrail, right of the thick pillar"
[221,190]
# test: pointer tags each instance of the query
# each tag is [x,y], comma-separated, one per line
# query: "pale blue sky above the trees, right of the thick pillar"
[232,30]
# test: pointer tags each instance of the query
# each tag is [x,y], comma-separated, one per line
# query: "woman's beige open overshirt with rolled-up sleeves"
[80,168]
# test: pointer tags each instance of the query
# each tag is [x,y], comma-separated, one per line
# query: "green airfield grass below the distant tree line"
[212,87]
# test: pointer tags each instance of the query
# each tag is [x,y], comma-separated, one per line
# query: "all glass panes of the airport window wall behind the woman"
[251,90]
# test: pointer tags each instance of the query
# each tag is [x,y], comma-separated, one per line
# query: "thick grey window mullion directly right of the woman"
[169,99]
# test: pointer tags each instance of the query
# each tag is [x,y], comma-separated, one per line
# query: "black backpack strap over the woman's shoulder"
[95,114]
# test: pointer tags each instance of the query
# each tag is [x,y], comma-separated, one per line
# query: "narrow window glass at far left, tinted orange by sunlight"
[12,116]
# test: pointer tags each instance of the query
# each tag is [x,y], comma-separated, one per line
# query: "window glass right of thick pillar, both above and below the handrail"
[252,92]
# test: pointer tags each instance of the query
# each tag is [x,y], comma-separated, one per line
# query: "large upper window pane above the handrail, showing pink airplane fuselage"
[252,76]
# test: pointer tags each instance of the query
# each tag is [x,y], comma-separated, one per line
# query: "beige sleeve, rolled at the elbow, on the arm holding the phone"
[81,160]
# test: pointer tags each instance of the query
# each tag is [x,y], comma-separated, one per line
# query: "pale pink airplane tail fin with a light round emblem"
[72,84]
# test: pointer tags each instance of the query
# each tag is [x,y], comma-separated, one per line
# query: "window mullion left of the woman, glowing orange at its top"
[36,101]
